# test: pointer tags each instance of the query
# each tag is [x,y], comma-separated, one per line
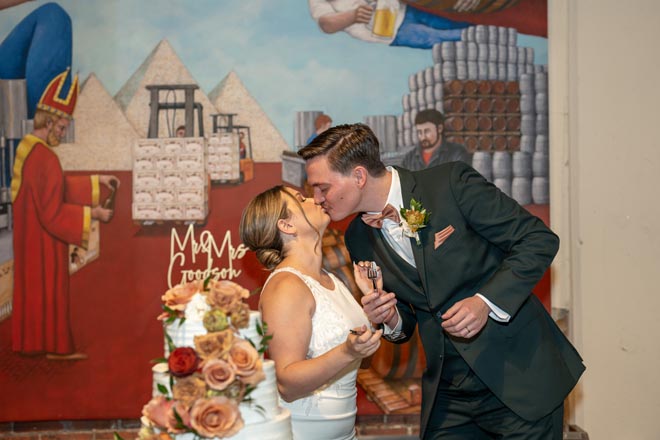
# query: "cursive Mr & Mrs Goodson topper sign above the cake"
[187,251]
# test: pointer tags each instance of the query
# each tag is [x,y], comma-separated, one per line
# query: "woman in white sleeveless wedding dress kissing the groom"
[320,334]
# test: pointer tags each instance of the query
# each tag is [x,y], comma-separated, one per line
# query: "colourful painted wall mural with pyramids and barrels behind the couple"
[184,112]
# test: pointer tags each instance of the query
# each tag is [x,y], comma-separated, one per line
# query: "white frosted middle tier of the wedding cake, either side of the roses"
[264,405]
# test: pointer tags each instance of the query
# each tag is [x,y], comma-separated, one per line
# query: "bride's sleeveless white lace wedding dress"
[328,413]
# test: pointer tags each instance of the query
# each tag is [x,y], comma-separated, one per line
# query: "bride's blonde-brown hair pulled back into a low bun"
[258,227]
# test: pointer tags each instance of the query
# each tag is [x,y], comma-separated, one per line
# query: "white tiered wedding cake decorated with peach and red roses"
[213,382]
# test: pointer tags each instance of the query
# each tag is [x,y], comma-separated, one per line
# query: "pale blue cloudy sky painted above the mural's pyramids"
[275,47]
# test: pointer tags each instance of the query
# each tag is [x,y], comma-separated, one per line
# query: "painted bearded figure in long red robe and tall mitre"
[51,211]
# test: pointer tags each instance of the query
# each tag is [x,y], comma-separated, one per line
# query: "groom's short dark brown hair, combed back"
[345,147]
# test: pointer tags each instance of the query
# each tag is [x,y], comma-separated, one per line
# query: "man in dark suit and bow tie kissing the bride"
[497,364]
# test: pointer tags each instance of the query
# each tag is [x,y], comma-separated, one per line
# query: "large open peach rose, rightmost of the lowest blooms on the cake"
[216,417]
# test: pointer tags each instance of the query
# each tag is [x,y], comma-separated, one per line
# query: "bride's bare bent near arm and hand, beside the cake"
[287,307]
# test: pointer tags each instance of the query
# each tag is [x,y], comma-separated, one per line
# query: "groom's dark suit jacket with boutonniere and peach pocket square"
[497,249]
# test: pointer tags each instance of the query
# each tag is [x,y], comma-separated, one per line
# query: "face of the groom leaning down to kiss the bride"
[337,194]
